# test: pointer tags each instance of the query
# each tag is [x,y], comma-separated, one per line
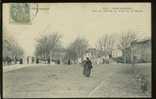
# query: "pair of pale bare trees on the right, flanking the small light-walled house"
[107,43]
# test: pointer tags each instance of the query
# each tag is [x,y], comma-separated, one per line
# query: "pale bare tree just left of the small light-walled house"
[105,44]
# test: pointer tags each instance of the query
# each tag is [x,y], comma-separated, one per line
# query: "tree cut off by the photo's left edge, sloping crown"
[11,48]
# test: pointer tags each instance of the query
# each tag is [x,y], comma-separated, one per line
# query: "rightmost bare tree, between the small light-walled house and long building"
[125,42]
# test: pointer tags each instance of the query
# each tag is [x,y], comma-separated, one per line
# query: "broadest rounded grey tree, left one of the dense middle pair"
[48,45]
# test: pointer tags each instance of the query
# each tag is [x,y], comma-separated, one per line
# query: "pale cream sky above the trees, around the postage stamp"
[87,20]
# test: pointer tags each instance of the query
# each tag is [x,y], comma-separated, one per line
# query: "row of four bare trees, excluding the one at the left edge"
[50,44]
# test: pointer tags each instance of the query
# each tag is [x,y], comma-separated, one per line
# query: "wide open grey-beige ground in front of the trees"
[48,81]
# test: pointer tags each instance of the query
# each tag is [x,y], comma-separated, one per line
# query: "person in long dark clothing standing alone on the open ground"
[87,67]
